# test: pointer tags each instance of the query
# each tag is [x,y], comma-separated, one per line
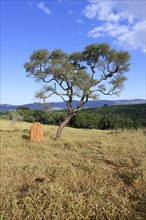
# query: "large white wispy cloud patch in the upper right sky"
[124,21]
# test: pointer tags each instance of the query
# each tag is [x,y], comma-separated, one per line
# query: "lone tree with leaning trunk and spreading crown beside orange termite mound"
[97,69]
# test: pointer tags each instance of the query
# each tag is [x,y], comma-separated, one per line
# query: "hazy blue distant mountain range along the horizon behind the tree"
[62,105]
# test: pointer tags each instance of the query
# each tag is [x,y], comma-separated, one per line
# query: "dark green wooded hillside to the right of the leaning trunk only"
[112,117]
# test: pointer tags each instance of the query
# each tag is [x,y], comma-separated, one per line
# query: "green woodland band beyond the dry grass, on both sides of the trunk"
[107,117]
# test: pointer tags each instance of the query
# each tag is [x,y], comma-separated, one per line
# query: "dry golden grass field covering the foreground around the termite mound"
[86,175]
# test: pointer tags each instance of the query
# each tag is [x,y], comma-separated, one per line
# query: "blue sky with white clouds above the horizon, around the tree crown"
[70,25]
